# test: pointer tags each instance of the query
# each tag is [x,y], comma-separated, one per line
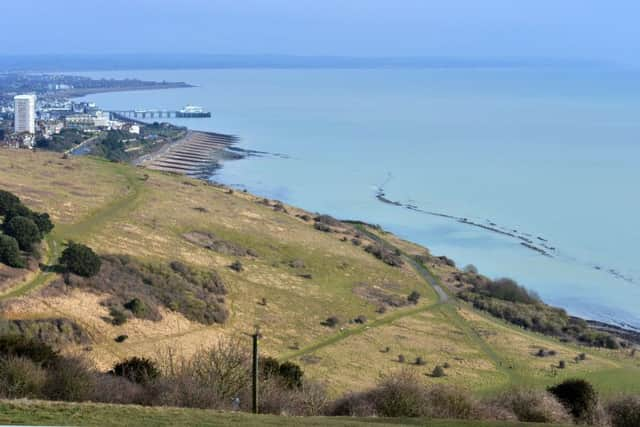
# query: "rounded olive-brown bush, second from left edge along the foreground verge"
[70,379]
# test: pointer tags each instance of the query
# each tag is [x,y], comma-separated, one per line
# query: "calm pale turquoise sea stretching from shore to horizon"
[550,153]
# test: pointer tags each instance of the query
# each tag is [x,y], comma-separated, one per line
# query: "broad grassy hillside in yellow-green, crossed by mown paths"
[304,274]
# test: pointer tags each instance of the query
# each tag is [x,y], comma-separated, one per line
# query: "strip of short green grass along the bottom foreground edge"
[55,413]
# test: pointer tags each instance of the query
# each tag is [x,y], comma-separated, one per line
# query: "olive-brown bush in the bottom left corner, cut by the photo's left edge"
[21,378]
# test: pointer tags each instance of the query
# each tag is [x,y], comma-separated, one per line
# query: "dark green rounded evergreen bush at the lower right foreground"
[579,397]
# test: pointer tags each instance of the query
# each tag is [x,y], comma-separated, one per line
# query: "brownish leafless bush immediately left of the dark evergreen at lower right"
[533,406]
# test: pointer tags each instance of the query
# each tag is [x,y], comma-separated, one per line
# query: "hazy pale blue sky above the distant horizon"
[590,29]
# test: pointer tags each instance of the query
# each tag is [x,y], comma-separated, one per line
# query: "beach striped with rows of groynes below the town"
[197,154]
